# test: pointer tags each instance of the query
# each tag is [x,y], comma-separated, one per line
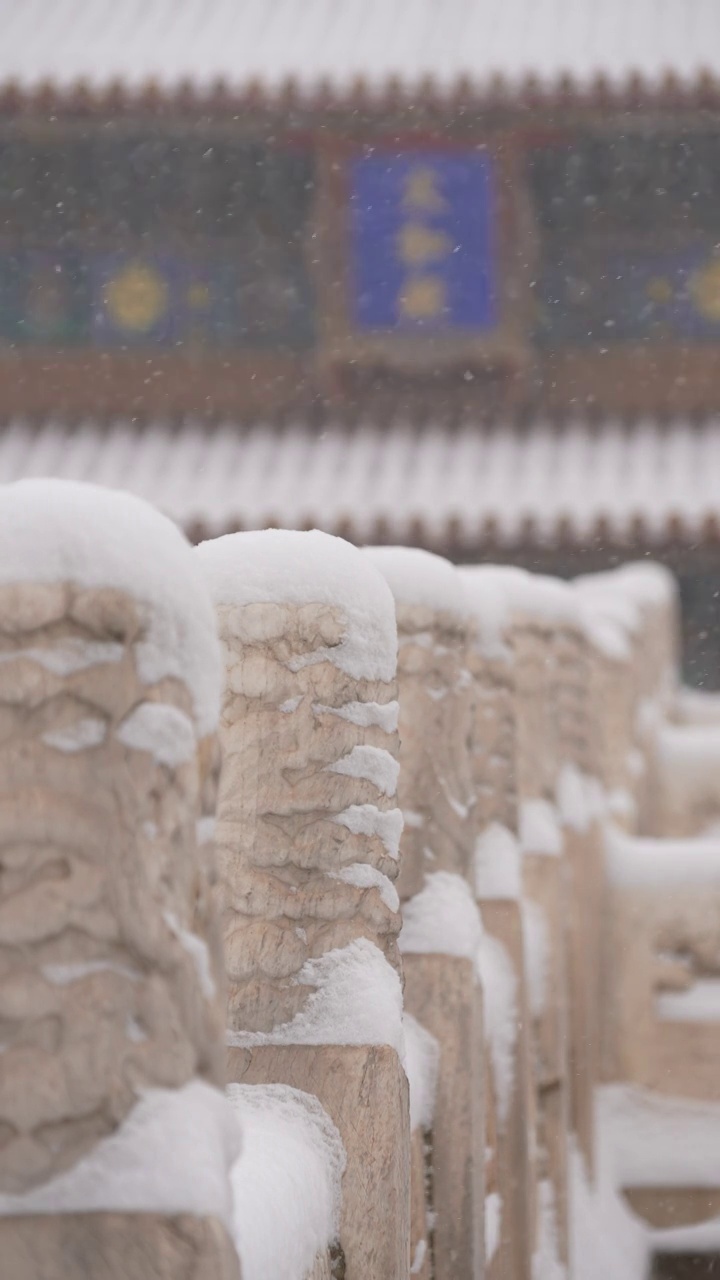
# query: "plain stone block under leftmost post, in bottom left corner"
[116,1247]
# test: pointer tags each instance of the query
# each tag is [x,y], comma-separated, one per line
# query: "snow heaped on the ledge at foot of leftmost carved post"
[171,1155]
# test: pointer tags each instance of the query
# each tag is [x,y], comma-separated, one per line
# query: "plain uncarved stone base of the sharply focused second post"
[364,1091]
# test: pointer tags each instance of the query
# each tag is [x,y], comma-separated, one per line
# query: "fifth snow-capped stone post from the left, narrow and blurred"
[545,624]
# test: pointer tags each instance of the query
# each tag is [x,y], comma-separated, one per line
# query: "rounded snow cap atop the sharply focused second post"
[286,568]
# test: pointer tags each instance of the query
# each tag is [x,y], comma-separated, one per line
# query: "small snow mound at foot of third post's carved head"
[443,918]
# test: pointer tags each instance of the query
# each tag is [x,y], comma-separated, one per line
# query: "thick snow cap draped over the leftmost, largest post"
[63,532]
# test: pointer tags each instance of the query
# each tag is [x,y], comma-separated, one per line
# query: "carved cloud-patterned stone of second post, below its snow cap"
[307,834]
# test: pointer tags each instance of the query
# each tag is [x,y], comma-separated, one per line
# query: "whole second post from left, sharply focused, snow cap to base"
[308,838]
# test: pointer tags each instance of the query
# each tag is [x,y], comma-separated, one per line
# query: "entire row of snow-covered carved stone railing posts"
[434,852]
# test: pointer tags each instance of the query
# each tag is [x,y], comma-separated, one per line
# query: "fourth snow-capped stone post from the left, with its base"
[498,884]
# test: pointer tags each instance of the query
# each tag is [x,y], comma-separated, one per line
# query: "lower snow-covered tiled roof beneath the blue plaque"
[441,487]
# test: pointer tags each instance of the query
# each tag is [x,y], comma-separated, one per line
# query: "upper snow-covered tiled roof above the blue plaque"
[341,43]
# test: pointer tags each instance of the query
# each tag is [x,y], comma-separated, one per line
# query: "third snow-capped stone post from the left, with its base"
[441,931]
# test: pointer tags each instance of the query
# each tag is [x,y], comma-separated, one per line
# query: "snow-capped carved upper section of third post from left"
[436,714]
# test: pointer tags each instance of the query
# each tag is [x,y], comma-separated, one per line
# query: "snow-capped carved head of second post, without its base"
[308,828]
